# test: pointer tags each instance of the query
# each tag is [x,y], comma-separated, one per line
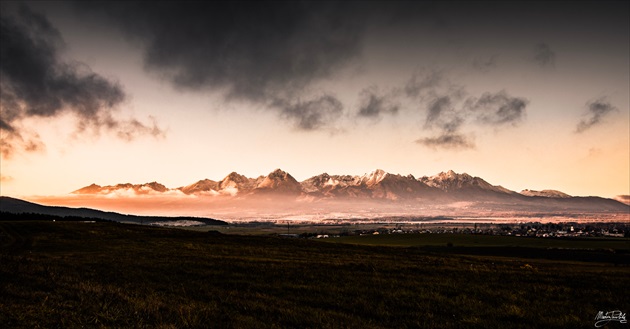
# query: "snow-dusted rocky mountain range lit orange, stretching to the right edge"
[376,186]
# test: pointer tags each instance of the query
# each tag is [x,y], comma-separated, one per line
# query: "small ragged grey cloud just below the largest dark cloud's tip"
[320,112]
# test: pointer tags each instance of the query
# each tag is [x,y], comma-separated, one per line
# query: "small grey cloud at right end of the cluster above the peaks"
[498,108]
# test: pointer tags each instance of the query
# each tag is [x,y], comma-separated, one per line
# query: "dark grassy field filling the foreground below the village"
[73,274]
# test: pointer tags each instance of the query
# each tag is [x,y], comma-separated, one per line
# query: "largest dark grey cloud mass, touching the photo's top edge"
[253,51]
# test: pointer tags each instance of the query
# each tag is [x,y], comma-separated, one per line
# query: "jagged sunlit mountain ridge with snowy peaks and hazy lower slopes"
[373,190]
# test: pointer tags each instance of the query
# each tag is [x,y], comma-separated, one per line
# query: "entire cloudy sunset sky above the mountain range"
[525,95]
